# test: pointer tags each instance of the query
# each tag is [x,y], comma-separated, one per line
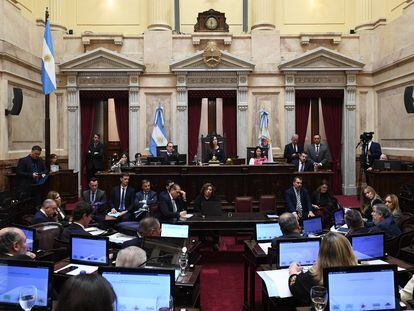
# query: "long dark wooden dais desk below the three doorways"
[230,180]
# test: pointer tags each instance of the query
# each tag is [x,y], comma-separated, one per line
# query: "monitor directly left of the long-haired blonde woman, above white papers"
[305,251]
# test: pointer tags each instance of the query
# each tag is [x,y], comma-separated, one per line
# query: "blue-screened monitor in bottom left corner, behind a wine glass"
[15,274]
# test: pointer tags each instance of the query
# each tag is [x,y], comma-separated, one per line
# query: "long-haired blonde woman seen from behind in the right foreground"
[335,251]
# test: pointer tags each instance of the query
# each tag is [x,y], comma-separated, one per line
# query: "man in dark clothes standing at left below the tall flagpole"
[29,172]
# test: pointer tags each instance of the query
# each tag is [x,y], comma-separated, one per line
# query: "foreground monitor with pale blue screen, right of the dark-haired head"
[141,289]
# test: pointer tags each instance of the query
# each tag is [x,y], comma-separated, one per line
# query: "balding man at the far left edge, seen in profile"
[13,244]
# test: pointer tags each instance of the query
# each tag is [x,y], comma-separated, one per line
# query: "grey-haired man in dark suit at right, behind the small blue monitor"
[384,222]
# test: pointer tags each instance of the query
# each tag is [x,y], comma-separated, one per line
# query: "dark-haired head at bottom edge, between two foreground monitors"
[91,292]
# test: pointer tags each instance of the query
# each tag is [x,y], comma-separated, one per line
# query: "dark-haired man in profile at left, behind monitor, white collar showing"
[82,216]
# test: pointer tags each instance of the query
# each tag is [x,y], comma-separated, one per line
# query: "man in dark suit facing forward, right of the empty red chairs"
[303,207]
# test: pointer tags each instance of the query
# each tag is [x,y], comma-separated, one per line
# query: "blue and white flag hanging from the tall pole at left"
[48,62]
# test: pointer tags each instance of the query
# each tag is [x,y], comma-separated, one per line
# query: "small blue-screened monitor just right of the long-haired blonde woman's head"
[368,246]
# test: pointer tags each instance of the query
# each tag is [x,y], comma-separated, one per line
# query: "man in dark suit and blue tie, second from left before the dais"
[122,197]
